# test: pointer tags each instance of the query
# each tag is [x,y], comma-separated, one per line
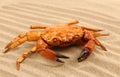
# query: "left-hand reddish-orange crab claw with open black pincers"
[46,52]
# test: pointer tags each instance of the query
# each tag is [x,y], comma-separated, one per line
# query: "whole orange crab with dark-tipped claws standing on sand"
[61,35]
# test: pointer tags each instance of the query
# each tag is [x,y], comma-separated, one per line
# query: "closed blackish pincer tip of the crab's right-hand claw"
[84,54]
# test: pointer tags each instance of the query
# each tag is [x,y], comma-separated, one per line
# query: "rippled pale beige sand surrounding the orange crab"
[16,17]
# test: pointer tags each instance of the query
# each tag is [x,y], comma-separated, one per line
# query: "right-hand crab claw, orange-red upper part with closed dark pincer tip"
[87,50]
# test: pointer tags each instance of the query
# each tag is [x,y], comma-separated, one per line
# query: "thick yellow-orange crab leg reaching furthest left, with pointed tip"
[29,36]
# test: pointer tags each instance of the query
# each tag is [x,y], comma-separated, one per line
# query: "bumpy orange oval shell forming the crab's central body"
[62,35]
